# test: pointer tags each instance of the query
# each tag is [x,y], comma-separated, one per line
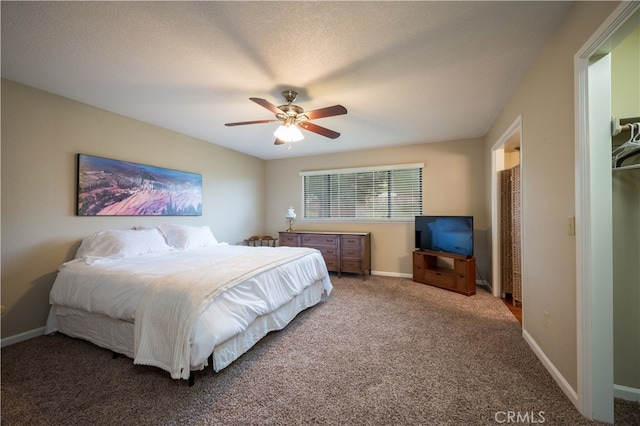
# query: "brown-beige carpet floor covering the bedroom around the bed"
[377,352]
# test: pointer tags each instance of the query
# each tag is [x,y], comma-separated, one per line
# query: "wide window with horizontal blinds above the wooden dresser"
[371,193]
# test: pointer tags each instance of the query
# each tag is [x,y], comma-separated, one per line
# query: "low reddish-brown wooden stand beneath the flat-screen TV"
[462,278]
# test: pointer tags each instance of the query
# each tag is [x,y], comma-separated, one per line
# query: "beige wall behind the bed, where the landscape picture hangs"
[41,135]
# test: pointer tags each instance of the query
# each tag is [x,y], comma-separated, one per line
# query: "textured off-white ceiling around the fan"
[407,72]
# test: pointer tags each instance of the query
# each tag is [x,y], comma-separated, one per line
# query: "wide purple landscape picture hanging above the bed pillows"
[109,187]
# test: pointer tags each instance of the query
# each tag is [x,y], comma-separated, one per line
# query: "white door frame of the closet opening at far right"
[594,265]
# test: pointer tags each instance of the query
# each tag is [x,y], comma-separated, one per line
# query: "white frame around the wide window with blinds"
[335,172]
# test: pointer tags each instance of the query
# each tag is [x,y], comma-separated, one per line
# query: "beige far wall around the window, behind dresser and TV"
[452,184]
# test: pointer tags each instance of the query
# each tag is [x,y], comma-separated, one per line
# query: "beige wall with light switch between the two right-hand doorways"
[545,99]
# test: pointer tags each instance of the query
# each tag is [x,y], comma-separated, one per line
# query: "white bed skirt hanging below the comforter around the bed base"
[117,335]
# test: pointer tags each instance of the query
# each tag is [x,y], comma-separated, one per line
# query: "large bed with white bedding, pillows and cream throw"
[175,298]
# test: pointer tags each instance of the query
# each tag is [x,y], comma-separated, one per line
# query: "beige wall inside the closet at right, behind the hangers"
[625,102]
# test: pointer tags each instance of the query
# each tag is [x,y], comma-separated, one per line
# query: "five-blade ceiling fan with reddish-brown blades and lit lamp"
[293,118]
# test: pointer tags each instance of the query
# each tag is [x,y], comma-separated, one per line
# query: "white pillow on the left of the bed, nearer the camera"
[116,244]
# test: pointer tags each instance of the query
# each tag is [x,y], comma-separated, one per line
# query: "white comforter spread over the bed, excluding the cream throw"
[114,288]
